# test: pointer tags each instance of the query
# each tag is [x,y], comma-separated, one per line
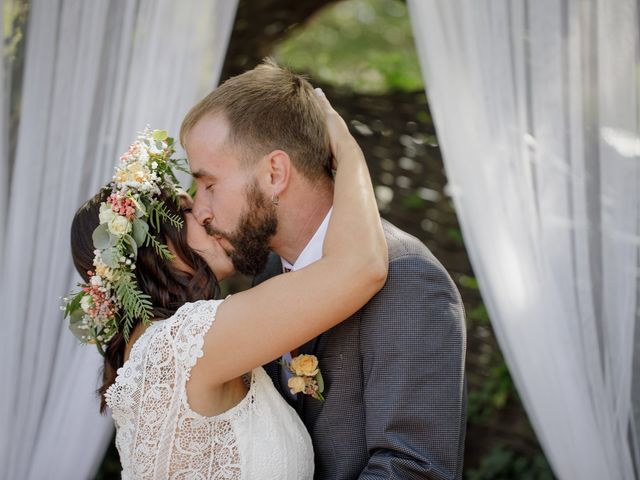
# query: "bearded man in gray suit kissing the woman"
[394,372]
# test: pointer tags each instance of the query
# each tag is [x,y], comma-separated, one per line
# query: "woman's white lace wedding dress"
[159,436]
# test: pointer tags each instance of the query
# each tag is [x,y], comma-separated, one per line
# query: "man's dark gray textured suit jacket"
[394,376]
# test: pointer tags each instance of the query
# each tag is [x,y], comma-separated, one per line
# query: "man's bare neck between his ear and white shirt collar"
[300,216]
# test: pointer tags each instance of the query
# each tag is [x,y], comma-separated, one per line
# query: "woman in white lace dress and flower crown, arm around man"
[176,361]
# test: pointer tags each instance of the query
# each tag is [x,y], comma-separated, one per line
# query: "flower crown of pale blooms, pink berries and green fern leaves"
[112,300]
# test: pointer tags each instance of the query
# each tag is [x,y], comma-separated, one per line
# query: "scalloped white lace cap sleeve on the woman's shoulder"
[189,336]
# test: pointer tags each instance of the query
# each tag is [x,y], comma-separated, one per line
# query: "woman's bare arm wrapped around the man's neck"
[260,324]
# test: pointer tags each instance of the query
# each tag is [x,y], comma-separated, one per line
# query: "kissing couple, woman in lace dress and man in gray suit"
[345,360]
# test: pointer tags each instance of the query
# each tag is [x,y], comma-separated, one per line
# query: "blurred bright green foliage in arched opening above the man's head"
[363,45]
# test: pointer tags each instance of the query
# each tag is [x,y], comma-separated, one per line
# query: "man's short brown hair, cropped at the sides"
[270,108]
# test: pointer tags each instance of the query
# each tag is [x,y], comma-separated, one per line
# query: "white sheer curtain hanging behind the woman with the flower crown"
[96,72]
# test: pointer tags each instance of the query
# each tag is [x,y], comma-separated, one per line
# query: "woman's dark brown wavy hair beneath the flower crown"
[168,287]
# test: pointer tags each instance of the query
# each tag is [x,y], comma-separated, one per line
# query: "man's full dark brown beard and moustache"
[250,242]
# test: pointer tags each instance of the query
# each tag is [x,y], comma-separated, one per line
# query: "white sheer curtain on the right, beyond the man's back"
[536,108]
